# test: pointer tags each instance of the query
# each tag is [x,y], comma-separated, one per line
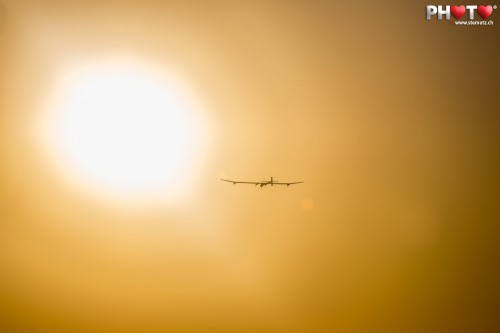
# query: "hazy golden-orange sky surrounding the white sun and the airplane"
[390,120]
